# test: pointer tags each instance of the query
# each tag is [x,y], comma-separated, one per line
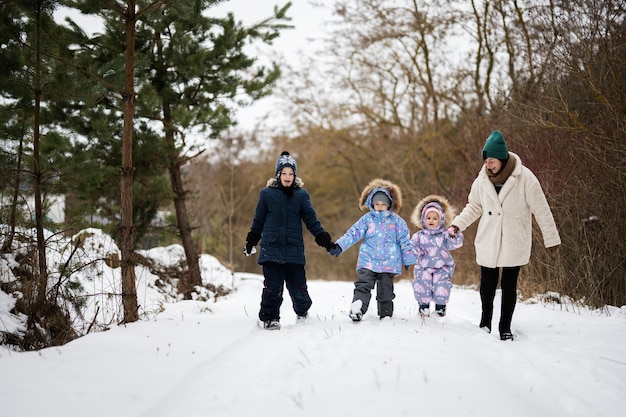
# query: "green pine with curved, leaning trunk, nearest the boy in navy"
[198,73]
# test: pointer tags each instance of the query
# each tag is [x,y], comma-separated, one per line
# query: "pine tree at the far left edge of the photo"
[30,39]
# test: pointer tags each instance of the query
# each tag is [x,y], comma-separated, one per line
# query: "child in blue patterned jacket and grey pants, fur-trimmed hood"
[385,249]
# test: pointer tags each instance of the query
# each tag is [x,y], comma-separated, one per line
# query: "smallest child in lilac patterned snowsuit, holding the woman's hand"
[432,274]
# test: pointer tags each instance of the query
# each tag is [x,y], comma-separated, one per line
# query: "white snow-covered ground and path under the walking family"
[211,358]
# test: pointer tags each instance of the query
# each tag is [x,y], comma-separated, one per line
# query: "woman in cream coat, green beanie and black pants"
[504,196]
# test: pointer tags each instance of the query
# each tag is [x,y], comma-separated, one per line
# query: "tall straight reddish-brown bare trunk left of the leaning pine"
[129,291]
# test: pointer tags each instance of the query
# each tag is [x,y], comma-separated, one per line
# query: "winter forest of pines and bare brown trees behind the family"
[403,90]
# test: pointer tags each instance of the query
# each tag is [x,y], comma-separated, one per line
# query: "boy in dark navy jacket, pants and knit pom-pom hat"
[282,208]
